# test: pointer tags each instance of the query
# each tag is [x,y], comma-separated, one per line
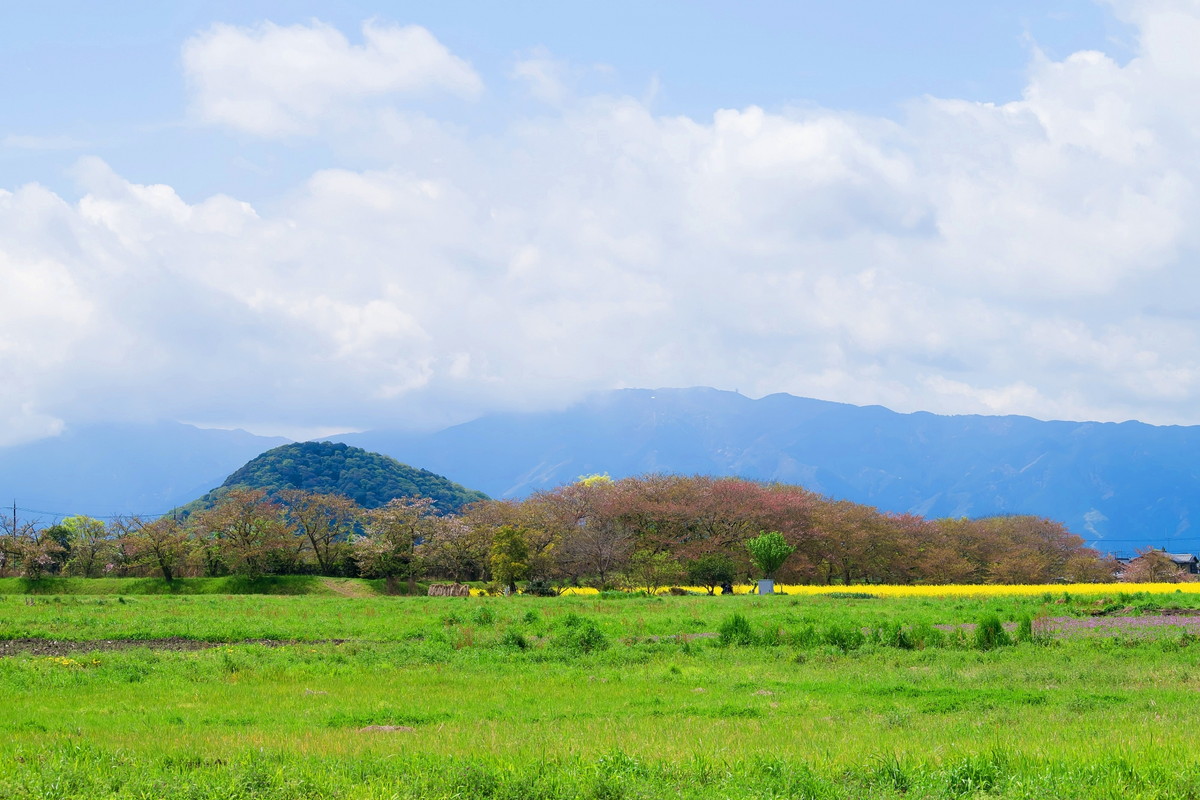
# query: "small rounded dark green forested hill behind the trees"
[325,467]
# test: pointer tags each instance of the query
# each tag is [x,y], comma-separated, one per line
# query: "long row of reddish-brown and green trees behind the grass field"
[646,533]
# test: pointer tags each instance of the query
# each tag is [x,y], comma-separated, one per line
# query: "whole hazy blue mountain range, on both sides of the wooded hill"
[1119,485]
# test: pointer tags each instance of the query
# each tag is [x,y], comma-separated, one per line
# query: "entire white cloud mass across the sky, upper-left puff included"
[1031,257]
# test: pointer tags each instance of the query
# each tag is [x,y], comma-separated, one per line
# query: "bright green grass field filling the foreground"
[590,697]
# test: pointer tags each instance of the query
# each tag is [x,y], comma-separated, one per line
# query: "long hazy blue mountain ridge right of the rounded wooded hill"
[1123,485]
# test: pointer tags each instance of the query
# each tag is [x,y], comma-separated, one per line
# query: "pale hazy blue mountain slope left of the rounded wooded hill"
[106,470]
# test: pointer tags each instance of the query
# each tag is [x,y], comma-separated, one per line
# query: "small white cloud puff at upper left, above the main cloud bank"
[274,81]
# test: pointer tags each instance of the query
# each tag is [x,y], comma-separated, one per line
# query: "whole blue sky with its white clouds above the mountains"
[309,218]
